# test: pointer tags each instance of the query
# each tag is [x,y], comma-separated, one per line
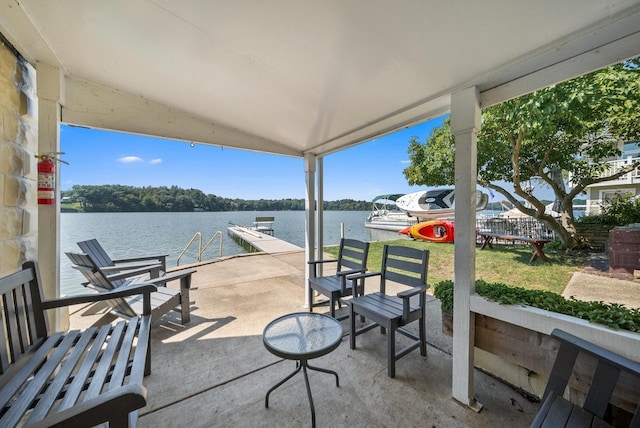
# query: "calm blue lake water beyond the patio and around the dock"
[135,234]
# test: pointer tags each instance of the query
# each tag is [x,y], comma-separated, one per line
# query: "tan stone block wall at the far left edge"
[18,144]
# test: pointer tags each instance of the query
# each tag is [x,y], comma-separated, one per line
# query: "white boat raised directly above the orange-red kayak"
[435,203]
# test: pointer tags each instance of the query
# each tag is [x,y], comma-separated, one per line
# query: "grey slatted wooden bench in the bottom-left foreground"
[78,378]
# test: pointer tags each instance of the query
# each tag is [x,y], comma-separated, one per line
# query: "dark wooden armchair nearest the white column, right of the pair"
[406,266]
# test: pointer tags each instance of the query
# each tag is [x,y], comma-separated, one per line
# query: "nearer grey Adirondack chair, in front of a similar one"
[163,300]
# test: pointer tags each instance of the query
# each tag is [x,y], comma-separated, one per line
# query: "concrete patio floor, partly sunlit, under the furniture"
[215,371]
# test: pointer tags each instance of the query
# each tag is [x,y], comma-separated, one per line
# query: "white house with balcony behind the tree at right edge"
[629,183]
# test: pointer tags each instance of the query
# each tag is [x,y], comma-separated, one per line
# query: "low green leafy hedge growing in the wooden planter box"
[612,315]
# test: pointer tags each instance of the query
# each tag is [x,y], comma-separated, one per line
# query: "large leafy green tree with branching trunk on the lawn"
[566,129]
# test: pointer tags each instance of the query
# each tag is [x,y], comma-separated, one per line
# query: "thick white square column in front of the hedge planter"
[465,124]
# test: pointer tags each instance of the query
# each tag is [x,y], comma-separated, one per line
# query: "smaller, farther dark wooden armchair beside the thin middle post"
[352,258]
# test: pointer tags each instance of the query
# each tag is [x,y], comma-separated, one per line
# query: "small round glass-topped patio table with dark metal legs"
[302,336]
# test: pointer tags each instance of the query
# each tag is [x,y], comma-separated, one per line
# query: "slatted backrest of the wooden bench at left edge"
[23,326]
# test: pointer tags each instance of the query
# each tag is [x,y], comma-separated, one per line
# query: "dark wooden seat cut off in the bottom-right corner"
[611,370]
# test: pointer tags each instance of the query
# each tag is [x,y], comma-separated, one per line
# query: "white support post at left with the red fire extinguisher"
[50,90]
